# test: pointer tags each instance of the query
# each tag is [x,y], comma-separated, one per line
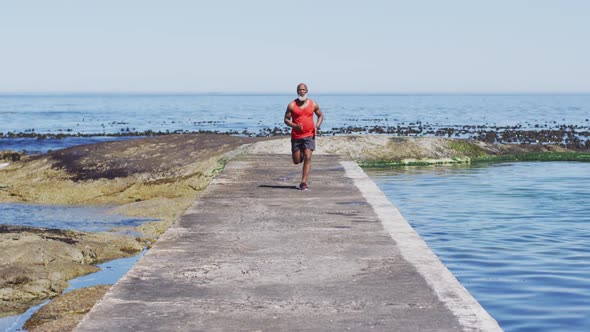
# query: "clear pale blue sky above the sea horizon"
[381,46]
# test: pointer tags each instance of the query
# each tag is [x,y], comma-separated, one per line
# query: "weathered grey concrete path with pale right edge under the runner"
[255,254]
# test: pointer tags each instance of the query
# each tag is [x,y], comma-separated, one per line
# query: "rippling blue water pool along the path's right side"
[516,235]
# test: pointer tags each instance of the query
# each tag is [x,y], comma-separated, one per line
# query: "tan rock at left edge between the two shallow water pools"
[36,263]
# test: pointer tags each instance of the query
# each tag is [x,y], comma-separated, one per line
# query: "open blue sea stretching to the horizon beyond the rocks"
[253,114]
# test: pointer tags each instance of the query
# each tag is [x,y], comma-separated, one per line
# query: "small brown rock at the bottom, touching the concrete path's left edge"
[64,312]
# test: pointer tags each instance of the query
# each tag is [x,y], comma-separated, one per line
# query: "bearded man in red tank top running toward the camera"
[299,116]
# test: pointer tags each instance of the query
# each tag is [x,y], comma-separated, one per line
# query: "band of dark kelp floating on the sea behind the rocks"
[571,136]
